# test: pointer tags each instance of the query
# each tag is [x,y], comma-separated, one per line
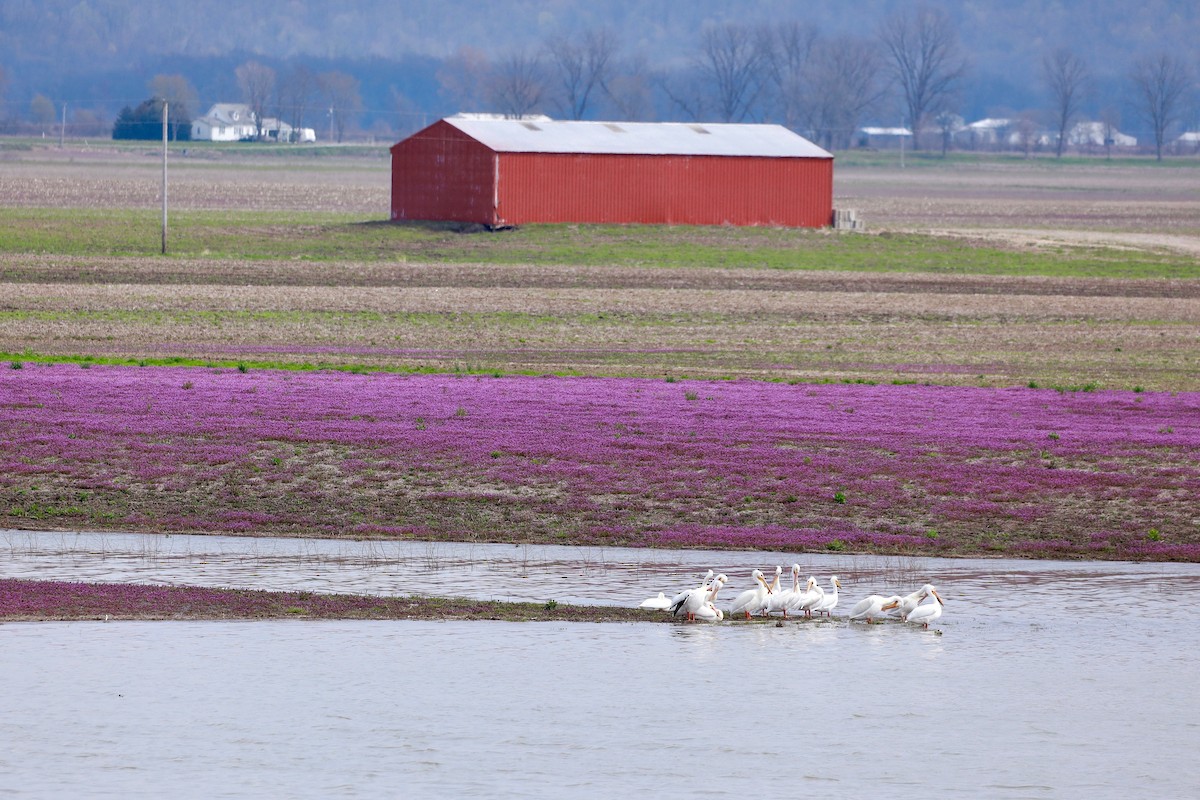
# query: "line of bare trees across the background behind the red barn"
[911,69]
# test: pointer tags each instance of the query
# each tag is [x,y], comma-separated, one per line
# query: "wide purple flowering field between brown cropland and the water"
[745,465]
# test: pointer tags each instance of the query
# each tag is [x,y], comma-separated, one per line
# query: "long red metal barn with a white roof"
[501,172]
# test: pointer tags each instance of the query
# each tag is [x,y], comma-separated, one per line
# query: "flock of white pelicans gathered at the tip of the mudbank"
[764,599]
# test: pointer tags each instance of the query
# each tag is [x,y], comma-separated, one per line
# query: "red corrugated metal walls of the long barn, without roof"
[443,173]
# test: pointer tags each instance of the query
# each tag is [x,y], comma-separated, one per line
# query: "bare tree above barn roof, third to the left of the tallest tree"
[733,62]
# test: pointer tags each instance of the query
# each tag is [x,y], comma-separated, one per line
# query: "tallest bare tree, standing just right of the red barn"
[923,50]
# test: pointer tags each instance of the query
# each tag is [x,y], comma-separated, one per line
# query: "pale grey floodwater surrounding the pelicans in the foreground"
[1042,681]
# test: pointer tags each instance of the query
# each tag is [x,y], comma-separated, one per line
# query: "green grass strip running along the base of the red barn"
[328,237]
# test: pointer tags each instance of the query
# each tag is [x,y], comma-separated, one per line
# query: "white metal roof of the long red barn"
[637,139]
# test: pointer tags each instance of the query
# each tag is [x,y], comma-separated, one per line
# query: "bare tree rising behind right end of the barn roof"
[844,83]
